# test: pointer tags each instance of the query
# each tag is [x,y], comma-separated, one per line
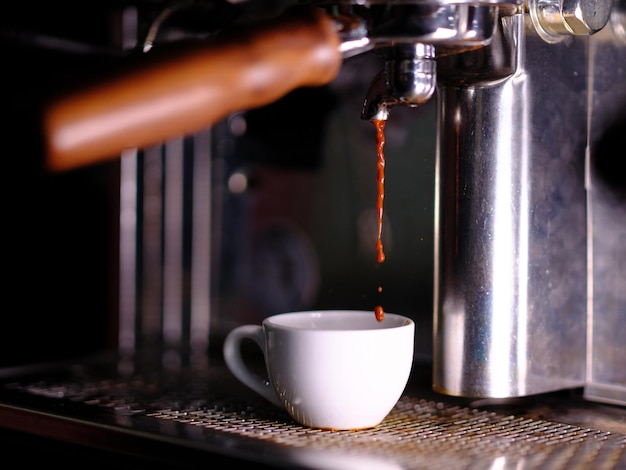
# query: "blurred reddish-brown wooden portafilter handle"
[176,95]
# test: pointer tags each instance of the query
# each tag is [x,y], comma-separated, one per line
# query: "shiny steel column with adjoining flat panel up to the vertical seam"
[510,273]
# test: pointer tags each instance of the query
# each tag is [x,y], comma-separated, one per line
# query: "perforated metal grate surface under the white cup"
[419,433]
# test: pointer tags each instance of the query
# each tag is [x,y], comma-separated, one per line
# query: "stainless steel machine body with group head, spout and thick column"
[530,260]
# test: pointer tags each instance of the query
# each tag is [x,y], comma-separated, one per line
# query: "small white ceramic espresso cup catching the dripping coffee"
[330,369]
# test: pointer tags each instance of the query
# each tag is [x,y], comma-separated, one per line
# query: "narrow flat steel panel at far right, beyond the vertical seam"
[606,374]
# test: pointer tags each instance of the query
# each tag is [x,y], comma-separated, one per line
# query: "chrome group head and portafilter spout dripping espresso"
[406,35]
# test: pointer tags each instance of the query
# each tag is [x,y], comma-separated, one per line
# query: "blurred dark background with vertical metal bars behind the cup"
[285,195]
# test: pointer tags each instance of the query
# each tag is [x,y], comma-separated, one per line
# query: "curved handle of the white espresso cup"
[235,363]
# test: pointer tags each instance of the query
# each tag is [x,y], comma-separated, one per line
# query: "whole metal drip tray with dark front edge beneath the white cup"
[186,412]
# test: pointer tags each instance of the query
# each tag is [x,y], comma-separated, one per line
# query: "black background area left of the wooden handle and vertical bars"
[59,229]
